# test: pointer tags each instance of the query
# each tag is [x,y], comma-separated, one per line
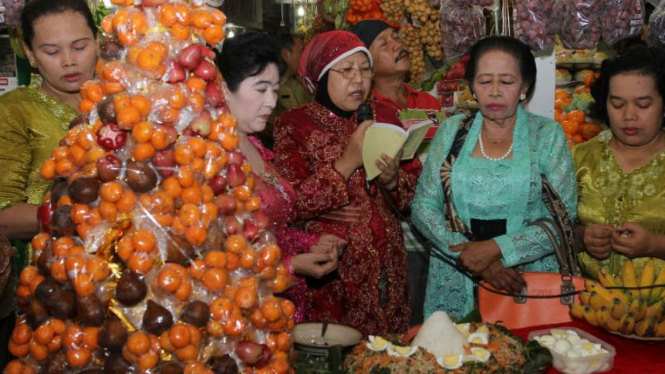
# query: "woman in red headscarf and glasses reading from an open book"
[319,151]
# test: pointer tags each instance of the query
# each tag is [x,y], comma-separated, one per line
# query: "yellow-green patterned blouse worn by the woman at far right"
[610,196]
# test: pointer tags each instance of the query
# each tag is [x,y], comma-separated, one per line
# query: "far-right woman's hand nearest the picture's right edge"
[634,240]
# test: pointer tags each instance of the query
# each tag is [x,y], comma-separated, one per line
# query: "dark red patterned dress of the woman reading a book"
[369,291]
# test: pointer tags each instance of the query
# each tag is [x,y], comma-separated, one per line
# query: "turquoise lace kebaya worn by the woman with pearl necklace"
[509,189]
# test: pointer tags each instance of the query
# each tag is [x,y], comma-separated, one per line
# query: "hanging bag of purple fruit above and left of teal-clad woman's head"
[461,26]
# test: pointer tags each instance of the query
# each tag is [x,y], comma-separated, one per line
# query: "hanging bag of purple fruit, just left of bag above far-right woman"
[581,26]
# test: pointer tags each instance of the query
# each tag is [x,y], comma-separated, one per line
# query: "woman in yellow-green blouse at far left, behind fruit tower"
[60,40]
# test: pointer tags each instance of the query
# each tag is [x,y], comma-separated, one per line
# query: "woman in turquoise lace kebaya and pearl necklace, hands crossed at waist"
[486,179]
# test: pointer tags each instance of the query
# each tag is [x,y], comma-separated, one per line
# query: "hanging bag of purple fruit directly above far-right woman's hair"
[623,19]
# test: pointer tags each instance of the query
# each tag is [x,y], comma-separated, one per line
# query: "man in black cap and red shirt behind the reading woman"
[391,65]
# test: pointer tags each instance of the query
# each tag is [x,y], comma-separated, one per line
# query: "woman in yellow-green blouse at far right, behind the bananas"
[621,172]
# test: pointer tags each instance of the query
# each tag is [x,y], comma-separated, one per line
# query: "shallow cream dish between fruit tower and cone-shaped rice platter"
[309,334]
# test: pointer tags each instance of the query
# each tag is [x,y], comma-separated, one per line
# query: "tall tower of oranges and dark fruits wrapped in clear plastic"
[153,254]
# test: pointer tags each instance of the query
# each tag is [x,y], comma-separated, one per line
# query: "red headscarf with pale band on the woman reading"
[324,51]
